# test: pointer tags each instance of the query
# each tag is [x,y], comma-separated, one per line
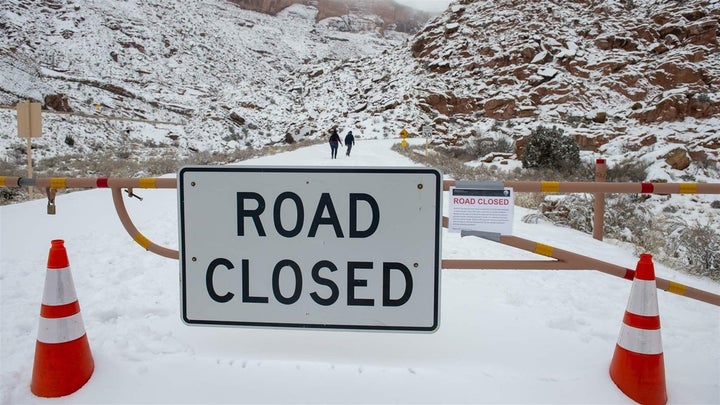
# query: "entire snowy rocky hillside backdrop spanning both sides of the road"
[627,79]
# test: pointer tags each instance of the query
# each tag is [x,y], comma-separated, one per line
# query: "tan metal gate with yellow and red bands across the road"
[564,260]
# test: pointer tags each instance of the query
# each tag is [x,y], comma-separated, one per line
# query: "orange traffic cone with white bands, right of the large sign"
[637,367]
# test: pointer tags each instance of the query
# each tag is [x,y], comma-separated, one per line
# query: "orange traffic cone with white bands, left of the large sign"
[63,362]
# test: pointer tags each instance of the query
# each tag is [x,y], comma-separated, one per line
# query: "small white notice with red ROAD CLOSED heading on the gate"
[477,209]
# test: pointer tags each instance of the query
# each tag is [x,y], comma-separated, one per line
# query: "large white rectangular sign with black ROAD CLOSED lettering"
[338,248]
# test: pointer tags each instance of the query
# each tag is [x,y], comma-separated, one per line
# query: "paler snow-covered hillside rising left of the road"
[206,75]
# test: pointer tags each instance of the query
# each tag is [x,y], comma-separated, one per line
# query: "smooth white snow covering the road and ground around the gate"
[504,336]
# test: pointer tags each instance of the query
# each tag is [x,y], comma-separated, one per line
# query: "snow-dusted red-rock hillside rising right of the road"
[626,79]
